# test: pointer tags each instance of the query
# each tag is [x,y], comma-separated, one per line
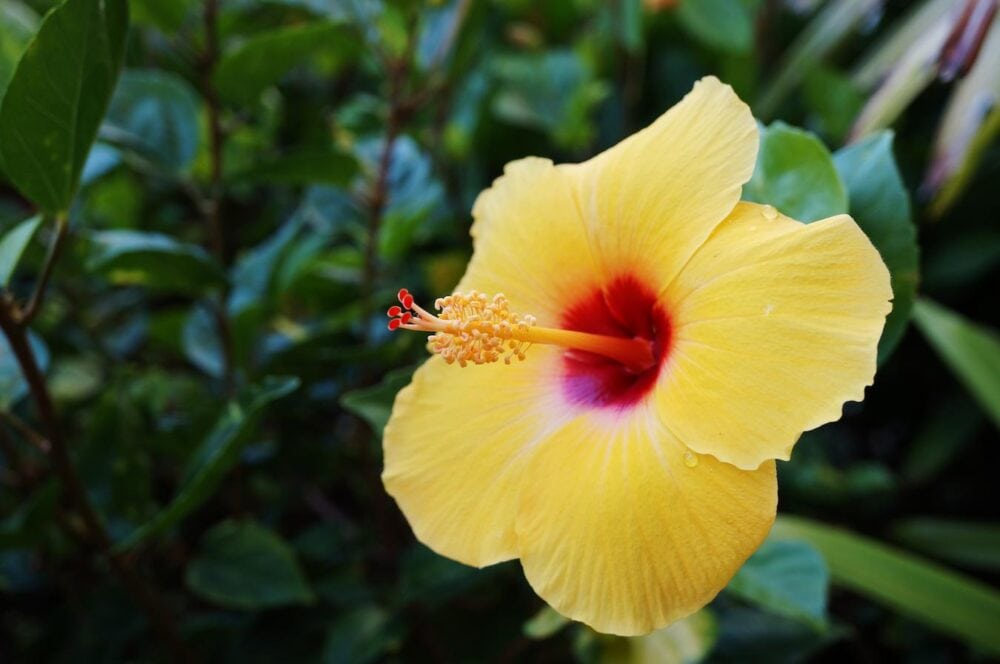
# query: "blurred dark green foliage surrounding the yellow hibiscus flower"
[206,205]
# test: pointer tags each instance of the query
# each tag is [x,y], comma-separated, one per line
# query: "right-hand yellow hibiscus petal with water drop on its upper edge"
[776,325]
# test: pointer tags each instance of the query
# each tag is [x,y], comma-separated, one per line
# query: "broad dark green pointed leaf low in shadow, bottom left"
[242,565]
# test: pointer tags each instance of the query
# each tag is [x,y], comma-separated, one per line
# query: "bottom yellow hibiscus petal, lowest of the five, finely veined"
[619,531]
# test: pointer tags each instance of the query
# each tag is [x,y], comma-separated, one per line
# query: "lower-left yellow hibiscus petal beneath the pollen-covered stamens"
[456,447]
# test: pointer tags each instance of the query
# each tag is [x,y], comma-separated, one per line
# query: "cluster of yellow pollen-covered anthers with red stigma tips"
[469,328]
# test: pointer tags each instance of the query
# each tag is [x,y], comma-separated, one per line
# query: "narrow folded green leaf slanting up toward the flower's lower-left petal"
[218,452]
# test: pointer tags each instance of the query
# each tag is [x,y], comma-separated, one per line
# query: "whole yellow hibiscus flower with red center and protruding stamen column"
[680,342]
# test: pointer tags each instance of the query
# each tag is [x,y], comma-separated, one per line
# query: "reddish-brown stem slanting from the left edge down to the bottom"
[144,595]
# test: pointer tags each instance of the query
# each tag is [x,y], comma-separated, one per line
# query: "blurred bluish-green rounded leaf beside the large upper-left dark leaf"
[154,114]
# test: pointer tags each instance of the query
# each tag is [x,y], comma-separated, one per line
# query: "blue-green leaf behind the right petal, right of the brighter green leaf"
[881,206]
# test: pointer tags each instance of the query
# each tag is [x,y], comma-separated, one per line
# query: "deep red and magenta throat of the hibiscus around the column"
[625,308]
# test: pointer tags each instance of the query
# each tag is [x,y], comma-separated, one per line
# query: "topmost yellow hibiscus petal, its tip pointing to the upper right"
[653,199]
